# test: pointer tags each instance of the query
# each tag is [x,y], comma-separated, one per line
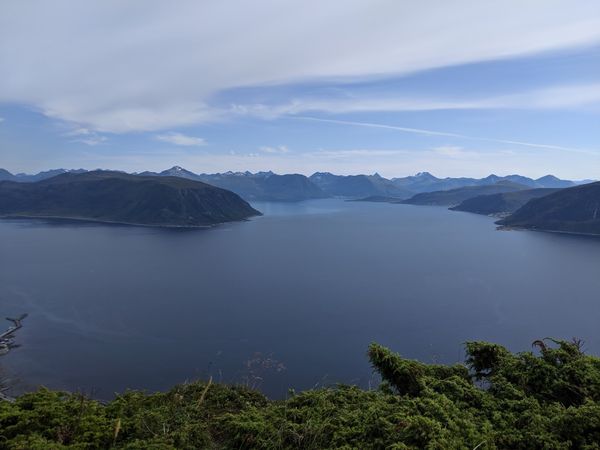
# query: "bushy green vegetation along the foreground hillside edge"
[499,400]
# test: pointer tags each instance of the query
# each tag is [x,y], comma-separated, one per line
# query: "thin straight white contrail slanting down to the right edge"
[442,133]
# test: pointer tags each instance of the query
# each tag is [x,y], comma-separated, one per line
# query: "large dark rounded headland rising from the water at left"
[108,196]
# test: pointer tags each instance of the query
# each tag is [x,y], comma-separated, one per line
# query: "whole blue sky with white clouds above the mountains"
[396,87]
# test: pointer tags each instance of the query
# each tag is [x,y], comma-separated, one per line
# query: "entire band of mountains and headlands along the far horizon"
[178,197]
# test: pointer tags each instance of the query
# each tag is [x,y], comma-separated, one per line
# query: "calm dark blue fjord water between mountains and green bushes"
[291,299]
